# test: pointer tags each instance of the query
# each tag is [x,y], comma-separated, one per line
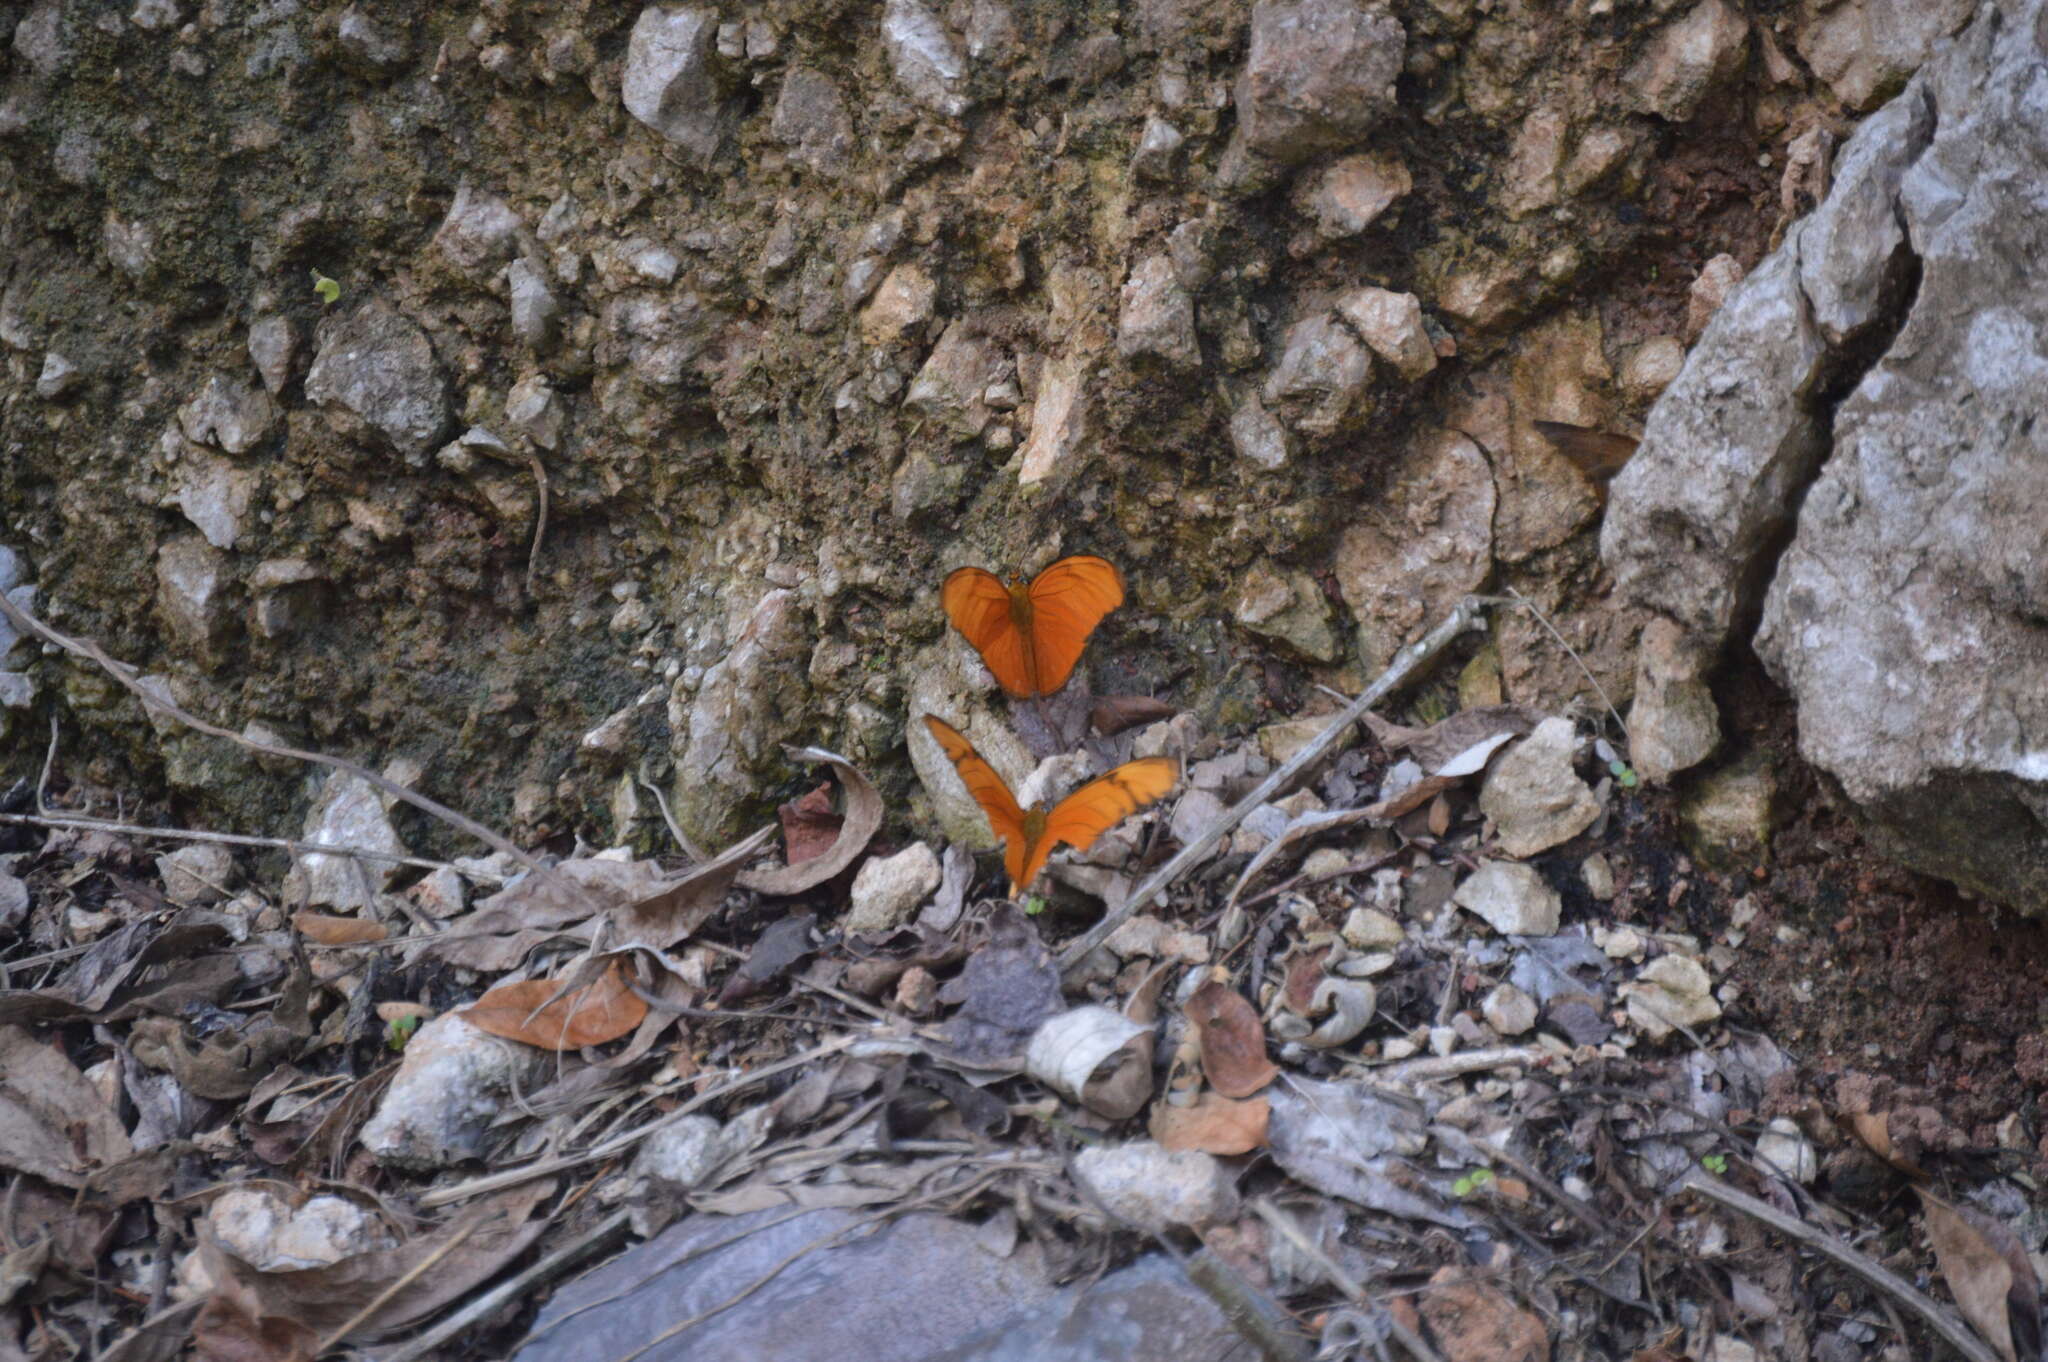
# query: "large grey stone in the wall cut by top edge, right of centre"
[1318,77]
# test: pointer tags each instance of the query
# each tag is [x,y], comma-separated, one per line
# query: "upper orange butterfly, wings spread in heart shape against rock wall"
[1031,636]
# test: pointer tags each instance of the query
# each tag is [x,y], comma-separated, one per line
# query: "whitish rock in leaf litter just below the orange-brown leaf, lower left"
[447,1093]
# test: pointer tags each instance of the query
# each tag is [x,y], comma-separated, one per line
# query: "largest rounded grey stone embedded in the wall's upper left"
[378,368]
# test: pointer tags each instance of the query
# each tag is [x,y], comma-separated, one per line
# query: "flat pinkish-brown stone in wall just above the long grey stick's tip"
[1435,544]
